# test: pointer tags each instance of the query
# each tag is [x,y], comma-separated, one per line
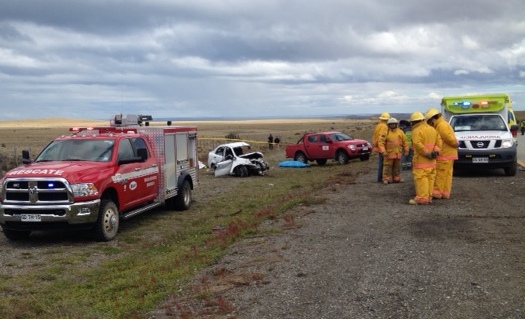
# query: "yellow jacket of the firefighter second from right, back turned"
[425,139]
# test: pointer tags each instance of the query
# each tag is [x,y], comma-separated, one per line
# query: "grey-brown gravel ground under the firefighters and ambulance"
[366,253]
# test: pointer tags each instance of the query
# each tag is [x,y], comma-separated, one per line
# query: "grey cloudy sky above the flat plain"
[256,58]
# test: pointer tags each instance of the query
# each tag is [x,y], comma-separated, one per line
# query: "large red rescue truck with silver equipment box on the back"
[98,176]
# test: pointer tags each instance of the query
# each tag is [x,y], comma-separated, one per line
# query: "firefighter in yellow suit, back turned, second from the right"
[426,143]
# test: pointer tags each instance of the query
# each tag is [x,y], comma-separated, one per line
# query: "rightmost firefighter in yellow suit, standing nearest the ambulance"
[445,159]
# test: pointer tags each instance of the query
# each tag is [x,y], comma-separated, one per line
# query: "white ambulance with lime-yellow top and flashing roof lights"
[484,127]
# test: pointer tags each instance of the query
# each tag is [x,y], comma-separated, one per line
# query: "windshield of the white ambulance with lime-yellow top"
[486,122]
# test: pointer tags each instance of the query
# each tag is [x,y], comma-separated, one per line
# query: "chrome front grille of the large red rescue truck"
[32,191]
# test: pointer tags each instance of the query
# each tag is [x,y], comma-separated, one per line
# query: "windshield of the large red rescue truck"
[77,150]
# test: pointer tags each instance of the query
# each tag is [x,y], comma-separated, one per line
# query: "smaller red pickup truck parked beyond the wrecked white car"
[322,146]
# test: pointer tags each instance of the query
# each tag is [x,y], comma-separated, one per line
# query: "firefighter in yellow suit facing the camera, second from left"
[392,147]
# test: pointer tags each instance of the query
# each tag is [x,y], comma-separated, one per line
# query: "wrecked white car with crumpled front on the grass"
[236,159]
